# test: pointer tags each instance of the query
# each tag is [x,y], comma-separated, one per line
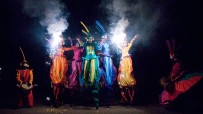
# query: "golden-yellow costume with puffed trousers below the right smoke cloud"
[125,76]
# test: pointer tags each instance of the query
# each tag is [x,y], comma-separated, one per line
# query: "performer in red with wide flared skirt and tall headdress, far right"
[178,82]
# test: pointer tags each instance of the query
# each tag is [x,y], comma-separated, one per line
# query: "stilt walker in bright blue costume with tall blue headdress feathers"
[108,70]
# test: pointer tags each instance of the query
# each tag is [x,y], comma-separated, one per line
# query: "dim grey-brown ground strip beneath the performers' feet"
[118,109]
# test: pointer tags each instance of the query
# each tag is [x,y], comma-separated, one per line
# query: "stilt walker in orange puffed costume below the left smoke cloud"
[58,72]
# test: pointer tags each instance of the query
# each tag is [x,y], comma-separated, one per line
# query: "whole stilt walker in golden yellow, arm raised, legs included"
[126,79]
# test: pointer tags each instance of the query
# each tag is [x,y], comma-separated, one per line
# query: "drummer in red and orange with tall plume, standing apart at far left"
[24,79]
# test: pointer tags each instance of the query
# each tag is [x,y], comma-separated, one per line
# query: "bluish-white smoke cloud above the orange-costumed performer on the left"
[51,14]
